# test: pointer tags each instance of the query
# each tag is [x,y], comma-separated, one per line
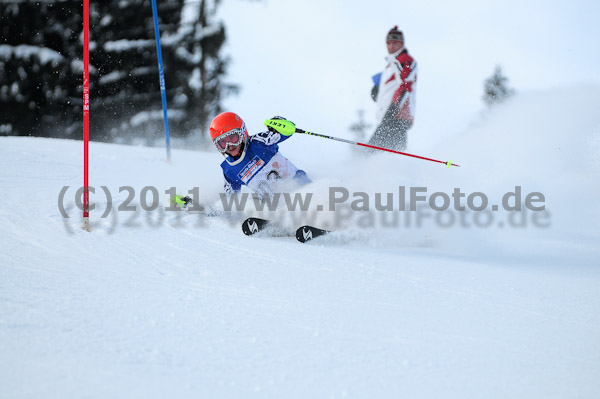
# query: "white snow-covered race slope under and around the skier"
[190,307]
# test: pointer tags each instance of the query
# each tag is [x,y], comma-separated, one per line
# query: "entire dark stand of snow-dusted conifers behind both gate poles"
[41,68]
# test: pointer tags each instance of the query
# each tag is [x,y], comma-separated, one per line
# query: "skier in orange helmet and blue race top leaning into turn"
[255,161]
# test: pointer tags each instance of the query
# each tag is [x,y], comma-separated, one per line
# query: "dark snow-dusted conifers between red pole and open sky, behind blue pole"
[191,42]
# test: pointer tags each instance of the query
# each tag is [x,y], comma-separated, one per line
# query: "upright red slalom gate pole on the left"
[86,113]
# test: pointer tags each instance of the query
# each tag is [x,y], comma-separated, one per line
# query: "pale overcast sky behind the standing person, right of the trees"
[312,60]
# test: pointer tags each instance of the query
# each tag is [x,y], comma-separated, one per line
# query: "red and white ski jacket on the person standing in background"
[397,86]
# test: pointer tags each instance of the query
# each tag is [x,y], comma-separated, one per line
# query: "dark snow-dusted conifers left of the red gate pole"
[40,68]
